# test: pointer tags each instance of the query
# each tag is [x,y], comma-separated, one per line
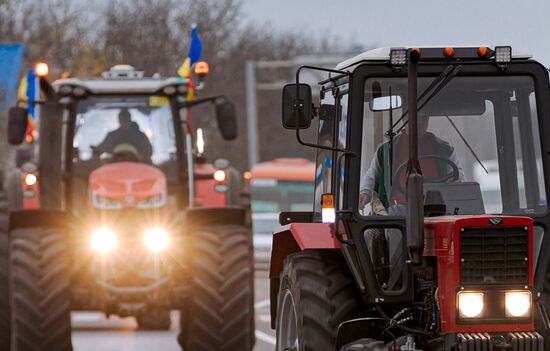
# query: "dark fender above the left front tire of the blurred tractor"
[38,218]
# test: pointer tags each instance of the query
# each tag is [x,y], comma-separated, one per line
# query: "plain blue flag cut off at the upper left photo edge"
[11,56]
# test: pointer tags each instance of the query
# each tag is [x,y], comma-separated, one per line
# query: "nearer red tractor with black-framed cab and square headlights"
[407,248]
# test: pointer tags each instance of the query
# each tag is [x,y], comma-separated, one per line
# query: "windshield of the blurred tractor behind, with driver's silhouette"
[138,126]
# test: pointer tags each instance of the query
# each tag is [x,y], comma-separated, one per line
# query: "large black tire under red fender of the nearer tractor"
[316,294]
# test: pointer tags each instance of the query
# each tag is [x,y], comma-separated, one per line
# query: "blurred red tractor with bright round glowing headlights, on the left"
[132,221]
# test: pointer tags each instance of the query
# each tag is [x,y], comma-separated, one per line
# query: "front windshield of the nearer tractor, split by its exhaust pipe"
[479,145]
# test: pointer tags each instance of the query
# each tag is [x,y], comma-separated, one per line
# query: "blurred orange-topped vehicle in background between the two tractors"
[284,184]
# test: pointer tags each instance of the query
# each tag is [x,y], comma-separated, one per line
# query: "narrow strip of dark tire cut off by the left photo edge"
[5,327]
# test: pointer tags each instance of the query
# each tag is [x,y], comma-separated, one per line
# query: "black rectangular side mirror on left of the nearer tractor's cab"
[297,110]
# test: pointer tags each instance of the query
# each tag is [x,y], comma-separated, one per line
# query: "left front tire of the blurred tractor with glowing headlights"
[40,285]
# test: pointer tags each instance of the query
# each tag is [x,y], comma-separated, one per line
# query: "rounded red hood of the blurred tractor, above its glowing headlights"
[127,184]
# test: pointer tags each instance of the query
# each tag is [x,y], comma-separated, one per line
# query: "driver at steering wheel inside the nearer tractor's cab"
[435,156]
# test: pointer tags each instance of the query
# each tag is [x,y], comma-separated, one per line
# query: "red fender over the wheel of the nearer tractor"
[292,238]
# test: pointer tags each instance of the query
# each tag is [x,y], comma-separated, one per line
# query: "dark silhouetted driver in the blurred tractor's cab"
[126,138]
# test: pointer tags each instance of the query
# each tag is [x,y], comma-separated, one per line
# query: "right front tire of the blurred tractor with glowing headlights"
[220,313]
